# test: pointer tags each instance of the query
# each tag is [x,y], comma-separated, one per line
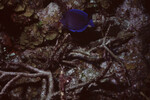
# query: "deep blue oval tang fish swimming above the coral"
[76,20]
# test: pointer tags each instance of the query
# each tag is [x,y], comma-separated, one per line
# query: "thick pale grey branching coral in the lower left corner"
[46,93]
